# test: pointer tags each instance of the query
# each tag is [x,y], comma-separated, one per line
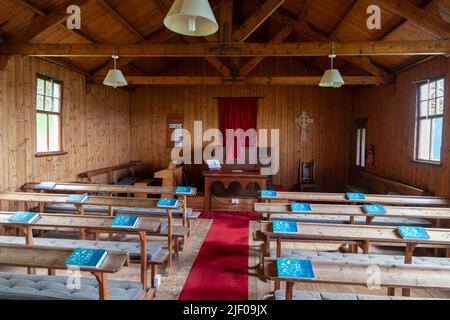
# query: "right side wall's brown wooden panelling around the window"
[391,113]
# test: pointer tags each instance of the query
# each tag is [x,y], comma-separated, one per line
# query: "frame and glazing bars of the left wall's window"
[60,151]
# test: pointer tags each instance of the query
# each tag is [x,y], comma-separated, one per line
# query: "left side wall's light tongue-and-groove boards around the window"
[96,125]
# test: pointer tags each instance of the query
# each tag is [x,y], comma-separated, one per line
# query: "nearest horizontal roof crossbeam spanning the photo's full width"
[360,48]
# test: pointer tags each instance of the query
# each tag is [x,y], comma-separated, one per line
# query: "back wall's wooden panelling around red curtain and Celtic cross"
[329,141]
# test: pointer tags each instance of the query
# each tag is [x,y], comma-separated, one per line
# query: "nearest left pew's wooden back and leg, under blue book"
[29,256]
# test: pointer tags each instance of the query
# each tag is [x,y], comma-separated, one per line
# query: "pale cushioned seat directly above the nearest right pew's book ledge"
[364,258]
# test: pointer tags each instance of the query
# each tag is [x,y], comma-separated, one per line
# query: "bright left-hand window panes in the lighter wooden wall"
[48,116]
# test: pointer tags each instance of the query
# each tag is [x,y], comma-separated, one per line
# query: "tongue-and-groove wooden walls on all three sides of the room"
[105,127]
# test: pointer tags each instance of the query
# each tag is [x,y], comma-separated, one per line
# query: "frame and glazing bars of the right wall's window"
[420,118]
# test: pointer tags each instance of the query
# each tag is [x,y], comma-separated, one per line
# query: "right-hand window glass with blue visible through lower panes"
[430,120]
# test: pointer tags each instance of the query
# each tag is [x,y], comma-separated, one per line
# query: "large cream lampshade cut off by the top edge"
[191,18]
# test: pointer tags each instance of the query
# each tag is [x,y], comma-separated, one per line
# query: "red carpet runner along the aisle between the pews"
[220,271]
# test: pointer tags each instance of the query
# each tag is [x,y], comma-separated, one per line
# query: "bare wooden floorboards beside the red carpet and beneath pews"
[172,285]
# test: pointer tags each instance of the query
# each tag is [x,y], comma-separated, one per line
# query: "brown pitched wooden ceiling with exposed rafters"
[255,22]
